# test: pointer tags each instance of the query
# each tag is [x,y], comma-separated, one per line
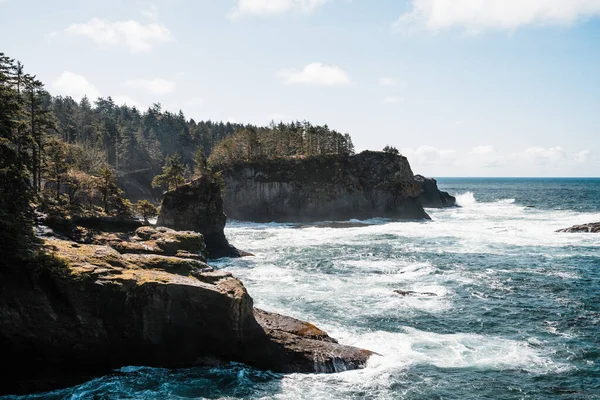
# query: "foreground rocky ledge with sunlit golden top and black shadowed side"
[79,310]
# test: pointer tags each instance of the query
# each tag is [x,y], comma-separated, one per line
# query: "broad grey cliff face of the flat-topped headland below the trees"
[367,185]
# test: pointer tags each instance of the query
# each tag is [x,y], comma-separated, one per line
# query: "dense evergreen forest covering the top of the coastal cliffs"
[56,152]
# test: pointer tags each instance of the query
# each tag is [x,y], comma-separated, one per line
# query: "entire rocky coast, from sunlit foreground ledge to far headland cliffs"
[104,293]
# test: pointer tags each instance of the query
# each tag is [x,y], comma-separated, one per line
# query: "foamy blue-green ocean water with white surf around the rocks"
[516,316]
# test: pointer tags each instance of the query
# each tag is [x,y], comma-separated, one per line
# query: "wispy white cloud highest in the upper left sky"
[134,35]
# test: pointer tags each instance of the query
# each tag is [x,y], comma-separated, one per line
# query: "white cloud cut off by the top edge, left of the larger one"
[272,7]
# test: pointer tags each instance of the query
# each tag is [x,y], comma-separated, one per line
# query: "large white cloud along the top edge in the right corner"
[478,15]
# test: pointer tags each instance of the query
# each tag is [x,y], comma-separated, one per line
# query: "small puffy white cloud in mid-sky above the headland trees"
[315,74]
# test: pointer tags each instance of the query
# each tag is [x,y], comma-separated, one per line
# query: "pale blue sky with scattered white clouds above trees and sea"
[460,87]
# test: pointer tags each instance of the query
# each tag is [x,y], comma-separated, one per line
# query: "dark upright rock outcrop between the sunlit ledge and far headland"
[198,207]
